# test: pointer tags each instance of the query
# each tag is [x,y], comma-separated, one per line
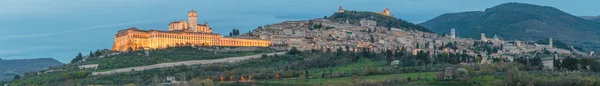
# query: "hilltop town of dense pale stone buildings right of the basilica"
[325,34]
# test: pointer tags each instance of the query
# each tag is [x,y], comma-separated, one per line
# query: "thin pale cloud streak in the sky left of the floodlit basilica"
[25,36]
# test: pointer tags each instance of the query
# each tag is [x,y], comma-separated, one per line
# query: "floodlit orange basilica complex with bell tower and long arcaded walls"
[181,33]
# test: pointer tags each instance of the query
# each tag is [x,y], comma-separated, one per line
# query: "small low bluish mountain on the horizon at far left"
[10,68]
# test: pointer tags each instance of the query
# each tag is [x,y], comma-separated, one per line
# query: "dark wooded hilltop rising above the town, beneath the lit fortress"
[384,21]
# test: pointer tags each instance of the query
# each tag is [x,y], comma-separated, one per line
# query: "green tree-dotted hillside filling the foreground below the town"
[316,67]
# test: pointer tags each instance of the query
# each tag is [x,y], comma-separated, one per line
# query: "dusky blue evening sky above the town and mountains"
[60,29]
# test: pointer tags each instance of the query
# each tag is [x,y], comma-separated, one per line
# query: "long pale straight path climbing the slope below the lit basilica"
[192,62]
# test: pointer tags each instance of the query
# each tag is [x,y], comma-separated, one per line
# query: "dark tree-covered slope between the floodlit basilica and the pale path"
[140,58]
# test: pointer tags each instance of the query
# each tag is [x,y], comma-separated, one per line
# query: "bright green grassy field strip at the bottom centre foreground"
[345,80]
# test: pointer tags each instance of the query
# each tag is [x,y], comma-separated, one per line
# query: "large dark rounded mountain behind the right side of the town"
[522,22]
